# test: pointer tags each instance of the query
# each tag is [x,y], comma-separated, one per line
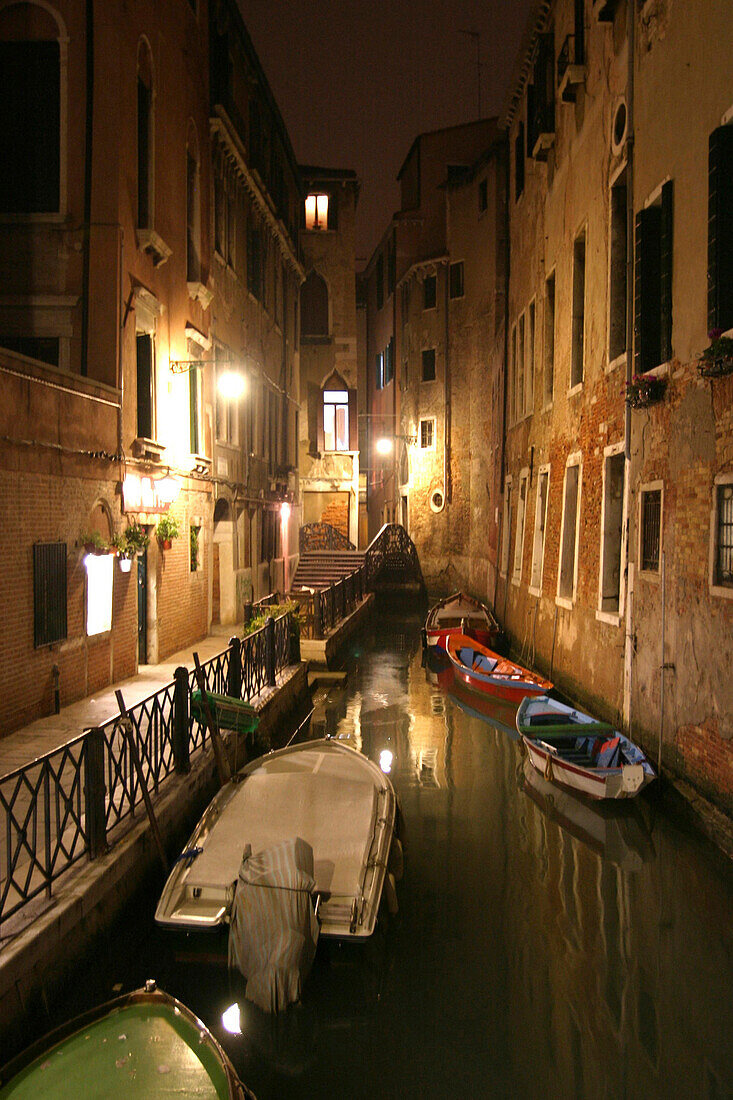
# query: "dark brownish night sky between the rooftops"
[357,81]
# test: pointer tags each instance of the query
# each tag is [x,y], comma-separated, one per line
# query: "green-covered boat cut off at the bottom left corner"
[145,1044]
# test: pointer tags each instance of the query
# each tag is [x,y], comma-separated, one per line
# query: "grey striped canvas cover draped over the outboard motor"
[275,930]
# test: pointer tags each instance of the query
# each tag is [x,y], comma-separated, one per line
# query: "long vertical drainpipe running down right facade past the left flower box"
[629,654]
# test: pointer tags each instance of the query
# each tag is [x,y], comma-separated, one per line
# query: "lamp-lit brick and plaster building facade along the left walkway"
[117,296]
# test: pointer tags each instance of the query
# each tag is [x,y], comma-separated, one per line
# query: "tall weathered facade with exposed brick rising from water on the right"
[616,554]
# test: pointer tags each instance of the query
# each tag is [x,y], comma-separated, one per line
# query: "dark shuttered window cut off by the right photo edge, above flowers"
[720,229]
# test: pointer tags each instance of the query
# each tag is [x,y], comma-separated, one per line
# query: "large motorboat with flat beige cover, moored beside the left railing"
[323,793]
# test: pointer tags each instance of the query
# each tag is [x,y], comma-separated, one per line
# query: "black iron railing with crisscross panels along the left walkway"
[64,806]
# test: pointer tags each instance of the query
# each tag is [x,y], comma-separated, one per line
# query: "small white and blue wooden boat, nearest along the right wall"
[572,749]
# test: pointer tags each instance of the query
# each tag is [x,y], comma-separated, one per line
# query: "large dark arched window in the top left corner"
[31,109]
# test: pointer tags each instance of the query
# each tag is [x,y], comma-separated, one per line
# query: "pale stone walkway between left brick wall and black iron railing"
[45,735]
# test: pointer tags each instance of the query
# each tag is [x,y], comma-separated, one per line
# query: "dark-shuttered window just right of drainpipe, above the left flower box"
[653,283]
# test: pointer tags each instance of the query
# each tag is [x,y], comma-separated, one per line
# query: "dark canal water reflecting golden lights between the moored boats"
[543,948]
